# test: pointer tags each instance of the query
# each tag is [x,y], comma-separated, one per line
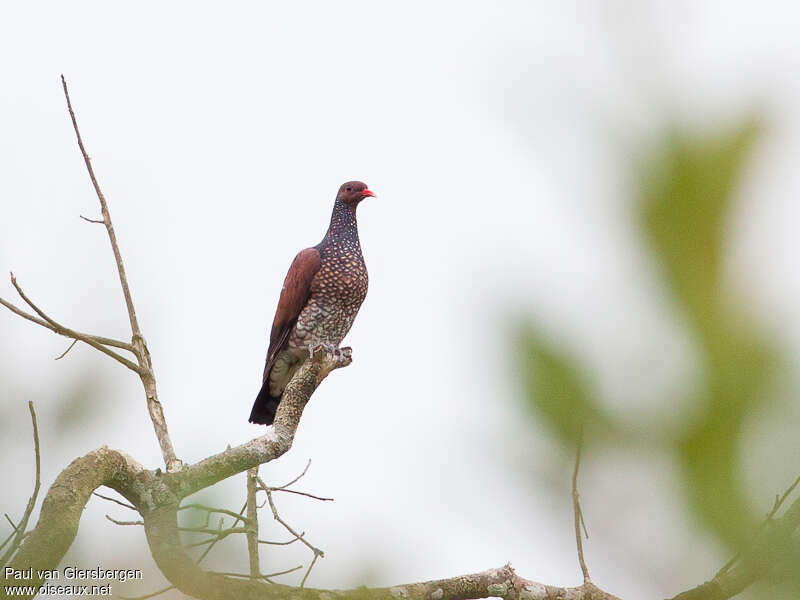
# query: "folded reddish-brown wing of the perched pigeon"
[294,295]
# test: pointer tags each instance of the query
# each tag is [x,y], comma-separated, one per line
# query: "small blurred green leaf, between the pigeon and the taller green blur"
[557,388]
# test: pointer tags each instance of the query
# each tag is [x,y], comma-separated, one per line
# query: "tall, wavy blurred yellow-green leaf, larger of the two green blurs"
[685,206]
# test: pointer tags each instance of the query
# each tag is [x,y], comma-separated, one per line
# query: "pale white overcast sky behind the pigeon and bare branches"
[499,138]
